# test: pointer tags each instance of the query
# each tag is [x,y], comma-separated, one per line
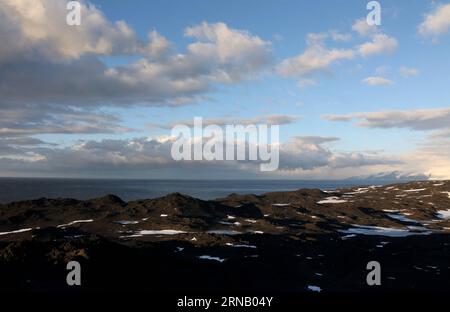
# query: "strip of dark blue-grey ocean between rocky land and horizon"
[15,189]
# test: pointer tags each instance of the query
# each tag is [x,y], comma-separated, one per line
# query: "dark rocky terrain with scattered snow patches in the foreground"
[284,242]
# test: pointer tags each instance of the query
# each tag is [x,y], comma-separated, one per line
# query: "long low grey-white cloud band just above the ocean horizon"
[139,157]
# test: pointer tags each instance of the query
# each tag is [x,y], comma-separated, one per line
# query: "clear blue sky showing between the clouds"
[286,24]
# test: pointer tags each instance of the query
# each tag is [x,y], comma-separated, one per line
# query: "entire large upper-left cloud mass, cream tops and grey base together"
[36,44]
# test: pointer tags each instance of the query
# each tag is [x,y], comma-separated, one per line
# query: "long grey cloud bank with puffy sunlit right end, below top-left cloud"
[158,78]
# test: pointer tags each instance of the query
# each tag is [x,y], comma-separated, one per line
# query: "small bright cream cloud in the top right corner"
[437,22]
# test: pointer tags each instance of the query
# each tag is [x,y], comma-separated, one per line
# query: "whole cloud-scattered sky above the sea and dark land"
[98,99]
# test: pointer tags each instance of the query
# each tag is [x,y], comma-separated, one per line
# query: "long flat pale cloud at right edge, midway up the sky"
[425,119]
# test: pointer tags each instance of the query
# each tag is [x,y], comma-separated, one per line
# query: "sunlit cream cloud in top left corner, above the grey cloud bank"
[32,30]
